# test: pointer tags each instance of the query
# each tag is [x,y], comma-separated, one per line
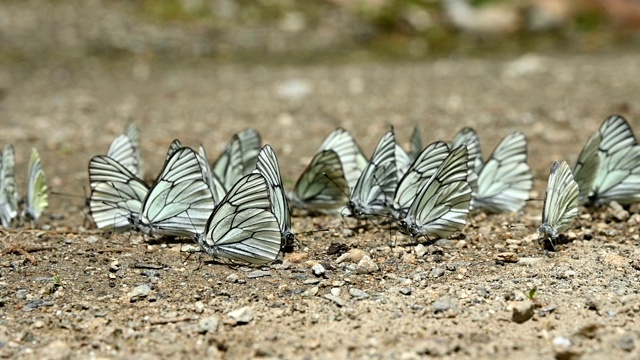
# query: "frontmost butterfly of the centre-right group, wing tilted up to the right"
[441,206]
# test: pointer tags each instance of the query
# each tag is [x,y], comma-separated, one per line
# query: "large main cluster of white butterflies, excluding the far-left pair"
[236,207]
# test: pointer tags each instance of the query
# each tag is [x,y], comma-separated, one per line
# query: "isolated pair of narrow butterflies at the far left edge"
[14,209]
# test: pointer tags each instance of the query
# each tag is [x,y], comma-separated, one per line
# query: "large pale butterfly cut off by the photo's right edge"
[618,175]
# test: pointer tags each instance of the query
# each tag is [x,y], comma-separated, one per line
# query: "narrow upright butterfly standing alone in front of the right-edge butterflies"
[560,204]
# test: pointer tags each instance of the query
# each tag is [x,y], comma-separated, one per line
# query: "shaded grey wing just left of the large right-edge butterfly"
[586,167]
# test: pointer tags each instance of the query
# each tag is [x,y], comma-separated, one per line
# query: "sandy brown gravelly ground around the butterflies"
[72,296]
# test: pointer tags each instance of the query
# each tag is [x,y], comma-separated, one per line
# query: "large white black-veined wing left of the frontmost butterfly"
[180,201]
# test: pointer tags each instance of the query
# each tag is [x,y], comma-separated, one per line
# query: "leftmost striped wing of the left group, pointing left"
[116,194]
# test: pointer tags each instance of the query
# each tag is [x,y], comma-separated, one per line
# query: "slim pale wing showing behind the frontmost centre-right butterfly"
[419,172]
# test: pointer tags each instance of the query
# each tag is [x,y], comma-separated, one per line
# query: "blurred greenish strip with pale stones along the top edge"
[309,31]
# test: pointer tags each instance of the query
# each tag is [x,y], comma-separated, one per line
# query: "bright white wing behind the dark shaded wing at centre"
[350,155]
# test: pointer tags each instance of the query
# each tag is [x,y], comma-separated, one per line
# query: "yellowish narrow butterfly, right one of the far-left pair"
[37,198]
